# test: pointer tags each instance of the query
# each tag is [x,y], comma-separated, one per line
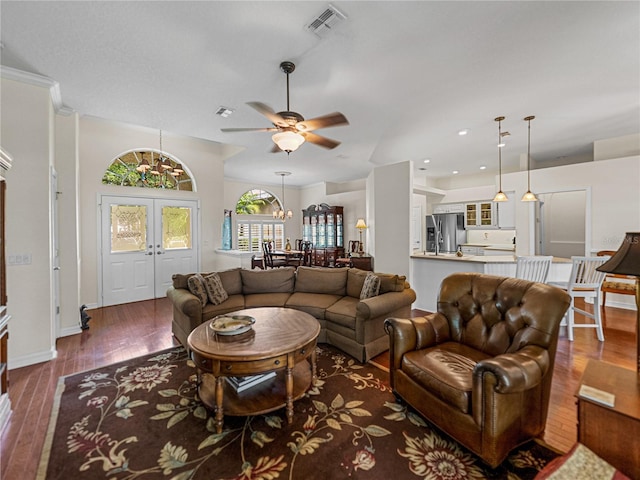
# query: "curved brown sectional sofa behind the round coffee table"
[331,295]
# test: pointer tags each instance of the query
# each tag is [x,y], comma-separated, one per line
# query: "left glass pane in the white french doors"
[128,228]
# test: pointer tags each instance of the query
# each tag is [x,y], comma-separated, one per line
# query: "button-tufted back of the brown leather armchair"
[496,315]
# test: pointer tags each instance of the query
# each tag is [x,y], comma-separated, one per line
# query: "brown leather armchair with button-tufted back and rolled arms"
[480,368]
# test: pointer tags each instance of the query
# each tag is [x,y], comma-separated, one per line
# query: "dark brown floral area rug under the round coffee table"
[142,419]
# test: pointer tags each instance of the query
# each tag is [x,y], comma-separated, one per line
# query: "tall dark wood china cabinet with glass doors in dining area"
[323,226]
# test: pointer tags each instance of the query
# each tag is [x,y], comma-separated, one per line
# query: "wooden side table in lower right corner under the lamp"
[613,433]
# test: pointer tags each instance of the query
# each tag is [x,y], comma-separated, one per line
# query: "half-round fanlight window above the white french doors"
[147,169]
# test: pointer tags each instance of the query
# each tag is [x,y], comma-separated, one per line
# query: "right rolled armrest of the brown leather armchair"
[514,372]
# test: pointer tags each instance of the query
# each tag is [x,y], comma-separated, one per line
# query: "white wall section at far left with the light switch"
[27,132]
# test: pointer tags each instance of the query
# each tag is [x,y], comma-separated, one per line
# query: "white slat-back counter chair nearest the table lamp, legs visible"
[584,282]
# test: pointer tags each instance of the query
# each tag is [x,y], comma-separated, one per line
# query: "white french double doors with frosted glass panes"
[144,242]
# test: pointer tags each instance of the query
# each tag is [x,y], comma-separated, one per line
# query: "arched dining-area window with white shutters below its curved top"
[255,222]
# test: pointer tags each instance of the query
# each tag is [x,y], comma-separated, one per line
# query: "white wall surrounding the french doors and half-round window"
[101,142]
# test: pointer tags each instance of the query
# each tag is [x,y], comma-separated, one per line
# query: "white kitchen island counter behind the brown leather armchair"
[428,270]
